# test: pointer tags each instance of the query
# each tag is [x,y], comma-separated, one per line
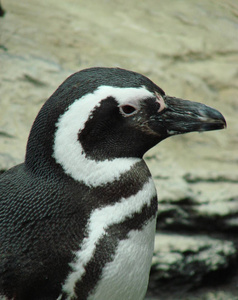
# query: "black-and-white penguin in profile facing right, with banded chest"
[78,216]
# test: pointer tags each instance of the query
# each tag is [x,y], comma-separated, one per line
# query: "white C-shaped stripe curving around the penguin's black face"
[68,151]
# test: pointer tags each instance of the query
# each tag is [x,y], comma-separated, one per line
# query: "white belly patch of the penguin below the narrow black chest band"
[126,277]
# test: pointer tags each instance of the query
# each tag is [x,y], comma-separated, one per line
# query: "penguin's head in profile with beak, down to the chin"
[108,113]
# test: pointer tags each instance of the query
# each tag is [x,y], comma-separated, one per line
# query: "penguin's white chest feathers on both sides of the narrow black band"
[126,275]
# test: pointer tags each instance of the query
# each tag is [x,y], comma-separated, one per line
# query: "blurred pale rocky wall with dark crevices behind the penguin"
[190,49]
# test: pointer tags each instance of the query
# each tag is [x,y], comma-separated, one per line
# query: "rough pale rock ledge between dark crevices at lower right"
[187,261]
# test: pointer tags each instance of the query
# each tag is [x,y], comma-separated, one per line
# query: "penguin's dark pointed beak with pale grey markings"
[182,116]
